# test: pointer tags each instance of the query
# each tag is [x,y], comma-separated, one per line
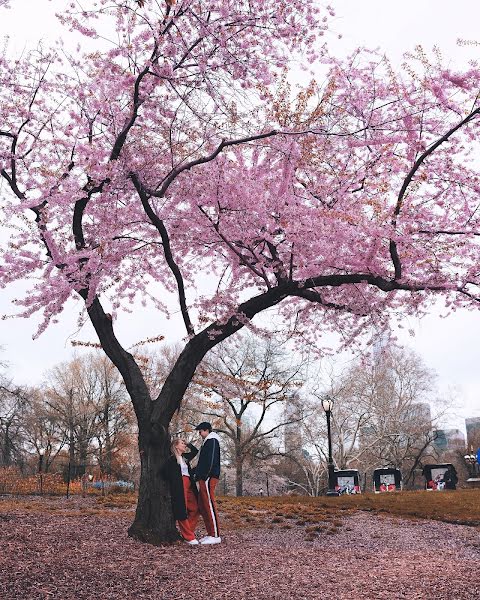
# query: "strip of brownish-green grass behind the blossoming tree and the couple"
[313,515]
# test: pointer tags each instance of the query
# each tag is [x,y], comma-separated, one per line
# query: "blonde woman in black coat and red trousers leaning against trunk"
[183,489]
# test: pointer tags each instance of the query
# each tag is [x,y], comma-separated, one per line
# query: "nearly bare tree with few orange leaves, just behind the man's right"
[246,384]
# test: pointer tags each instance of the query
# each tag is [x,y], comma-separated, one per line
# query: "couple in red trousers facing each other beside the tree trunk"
[188,501]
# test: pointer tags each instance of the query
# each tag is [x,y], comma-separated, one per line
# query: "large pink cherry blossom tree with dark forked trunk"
[179,152]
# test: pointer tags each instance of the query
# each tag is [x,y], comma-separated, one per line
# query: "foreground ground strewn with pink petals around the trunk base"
[66,554]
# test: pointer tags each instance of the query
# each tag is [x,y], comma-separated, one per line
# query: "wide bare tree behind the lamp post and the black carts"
[382,417]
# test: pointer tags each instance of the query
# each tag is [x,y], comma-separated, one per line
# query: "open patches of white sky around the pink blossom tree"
[449,346]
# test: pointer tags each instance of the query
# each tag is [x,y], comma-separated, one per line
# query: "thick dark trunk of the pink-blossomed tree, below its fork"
[154,522]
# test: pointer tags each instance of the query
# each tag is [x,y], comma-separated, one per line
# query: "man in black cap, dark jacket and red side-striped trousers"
[207,473]
